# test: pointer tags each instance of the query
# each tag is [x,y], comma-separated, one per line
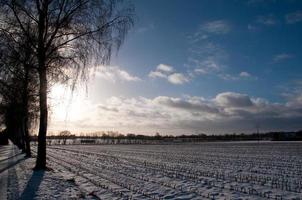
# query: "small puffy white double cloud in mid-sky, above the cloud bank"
[167,72]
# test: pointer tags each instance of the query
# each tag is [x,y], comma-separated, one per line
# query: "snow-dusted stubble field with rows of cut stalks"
[248,170]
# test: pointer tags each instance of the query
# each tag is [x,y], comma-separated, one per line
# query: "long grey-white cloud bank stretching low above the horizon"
[227,112]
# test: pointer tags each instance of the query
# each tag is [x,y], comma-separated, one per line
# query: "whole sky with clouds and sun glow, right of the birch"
[209,66]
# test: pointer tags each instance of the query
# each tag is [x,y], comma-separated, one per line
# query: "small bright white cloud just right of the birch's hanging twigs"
[115,73]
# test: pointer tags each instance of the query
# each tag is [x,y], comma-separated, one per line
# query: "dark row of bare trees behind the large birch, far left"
[17,87]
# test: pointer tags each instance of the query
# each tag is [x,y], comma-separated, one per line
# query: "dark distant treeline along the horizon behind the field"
[110,137]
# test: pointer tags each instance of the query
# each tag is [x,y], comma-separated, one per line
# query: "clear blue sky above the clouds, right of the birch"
[162,35]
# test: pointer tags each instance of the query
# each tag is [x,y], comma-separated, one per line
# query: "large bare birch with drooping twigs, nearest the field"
[69,37]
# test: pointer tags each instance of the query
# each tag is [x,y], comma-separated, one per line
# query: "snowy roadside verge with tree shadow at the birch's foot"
[19,181]
